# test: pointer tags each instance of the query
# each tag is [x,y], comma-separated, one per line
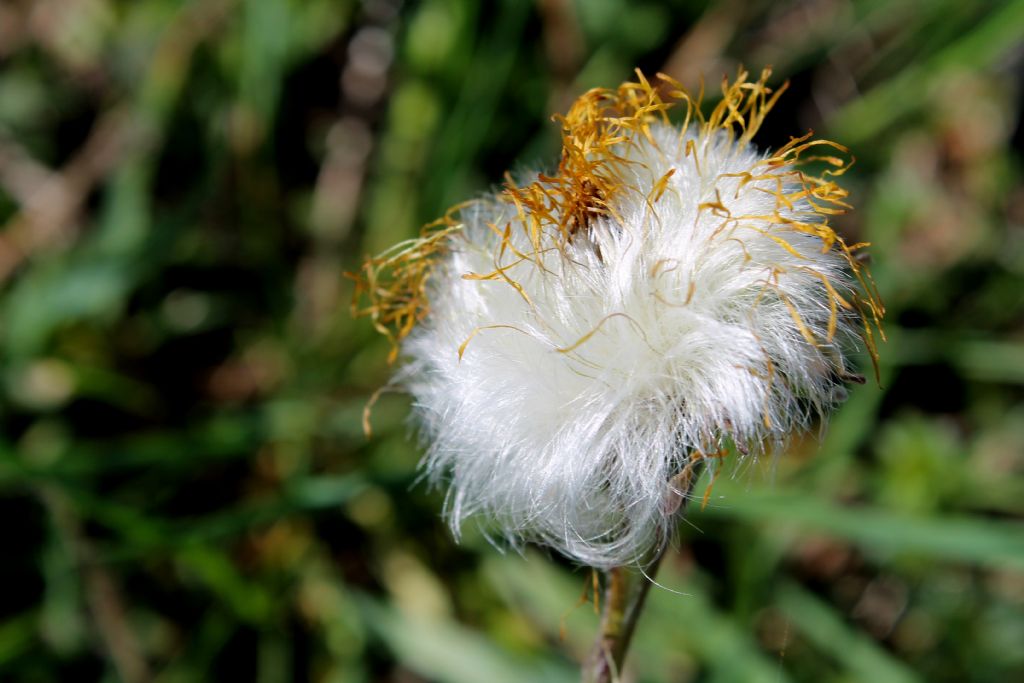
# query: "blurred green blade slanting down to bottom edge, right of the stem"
[827,630]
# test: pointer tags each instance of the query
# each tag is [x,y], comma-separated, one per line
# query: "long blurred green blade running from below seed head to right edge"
[991,543]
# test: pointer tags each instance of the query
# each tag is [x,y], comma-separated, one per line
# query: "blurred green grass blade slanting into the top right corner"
[882,107]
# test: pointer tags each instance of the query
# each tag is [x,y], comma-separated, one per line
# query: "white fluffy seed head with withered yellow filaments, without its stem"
[591,335]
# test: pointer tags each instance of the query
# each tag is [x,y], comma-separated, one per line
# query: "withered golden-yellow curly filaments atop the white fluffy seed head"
[552,210]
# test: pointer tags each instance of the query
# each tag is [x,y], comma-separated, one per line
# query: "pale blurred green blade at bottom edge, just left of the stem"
[447,653]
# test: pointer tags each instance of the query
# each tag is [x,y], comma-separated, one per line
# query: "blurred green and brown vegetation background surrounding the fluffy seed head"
[188,490]
